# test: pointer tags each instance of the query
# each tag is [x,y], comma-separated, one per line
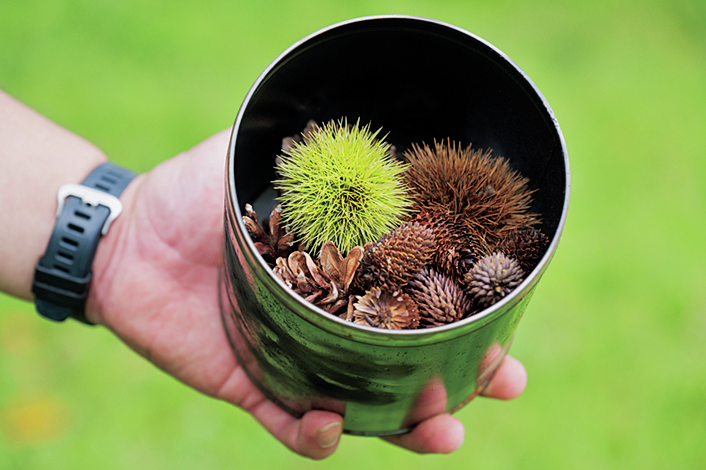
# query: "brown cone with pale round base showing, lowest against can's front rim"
[382,308]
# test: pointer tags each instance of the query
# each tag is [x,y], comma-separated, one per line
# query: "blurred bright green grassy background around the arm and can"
[614,339]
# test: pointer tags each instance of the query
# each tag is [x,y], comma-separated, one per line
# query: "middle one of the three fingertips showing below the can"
[442,434]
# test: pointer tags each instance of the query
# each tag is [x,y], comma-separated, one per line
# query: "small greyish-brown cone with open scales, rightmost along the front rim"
[492,278]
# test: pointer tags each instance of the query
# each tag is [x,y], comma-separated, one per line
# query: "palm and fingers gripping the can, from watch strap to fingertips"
[155,285]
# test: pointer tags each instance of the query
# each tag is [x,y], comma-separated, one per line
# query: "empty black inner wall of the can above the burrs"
[418,80]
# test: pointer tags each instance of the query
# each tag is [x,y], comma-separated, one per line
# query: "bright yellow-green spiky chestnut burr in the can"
[341,184]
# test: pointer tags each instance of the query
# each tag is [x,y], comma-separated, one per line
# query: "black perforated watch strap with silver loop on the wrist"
[63,275]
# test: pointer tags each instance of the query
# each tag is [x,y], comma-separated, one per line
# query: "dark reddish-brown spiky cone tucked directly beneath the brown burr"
[454,254]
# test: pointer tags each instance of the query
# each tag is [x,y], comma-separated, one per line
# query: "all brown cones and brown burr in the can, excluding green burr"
[468,242]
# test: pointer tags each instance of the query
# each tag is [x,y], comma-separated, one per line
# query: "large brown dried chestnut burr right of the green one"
[476,188]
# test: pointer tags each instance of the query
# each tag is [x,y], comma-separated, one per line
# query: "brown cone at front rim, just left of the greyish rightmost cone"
[439,299]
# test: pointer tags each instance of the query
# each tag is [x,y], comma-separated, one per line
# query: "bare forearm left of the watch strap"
[36,157]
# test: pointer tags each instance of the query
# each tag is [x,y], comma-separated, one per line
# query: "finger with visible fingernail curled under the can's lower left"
[314,435]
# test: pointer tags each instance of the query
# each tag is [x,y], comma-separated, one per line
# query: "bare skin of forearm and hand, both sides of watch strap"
[155,273]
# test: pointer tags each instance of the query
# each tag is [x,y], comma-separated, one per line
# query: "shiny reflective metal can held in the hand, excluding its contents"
[418,79]
